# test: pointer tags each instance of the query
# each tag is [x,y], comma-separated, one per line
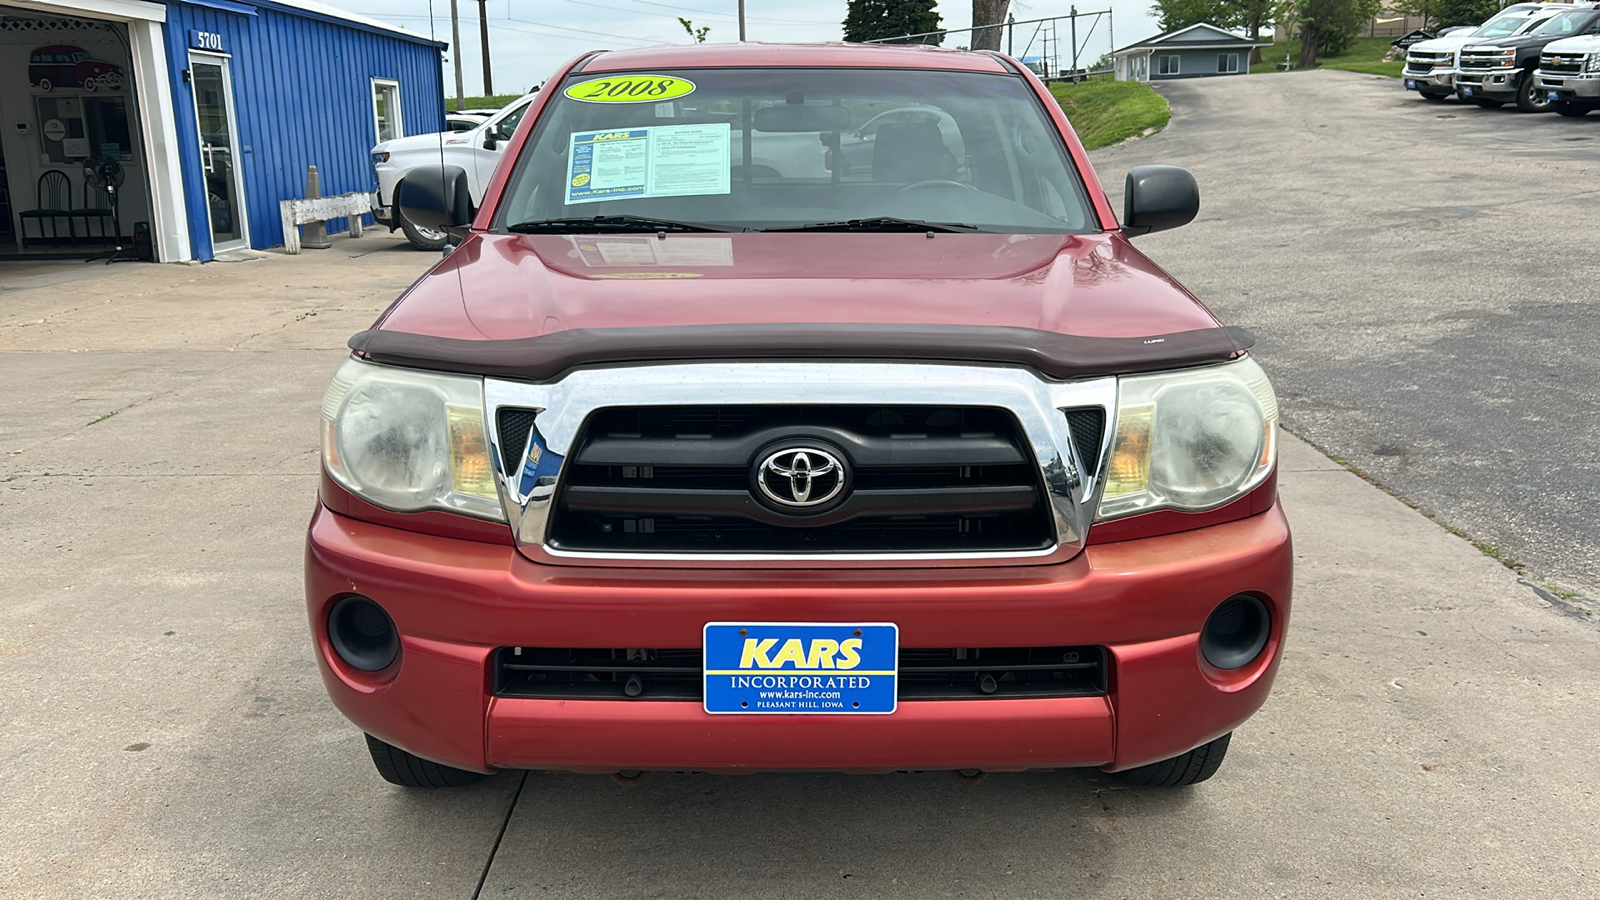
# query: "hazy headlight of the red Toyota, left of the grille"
[410,441]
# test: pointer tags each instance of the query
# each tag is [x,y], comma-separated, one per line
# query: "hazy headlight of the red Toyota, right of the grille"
[1191,440]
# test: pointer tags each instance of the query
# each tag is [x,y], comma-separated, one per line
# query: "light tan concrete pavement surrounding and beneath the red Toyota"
[164,731]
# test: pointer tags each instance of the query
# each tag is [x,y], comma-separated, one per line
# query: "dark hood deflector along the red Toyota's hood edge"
[1058,356]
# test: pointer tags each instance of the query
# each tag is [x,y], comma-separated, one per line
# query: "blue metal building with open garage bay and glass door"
[215,113]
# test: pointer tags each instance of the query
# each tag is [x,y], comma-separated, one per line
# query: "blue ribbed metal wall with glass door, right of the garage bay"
[305,86]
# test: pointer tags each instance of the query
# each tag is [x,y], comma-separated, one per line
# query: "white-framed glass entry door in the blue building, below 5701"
[218,151]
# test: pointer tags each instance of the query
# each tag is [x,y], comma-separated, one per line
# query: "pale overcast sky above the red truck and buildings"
[530,39]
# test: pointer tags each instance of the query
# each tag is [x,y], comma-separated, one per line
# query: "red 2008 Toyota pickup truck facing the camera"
[913,464]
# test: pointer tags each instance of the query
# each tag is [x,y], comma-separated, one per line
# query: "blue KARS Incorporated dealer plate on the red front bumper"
[801,669]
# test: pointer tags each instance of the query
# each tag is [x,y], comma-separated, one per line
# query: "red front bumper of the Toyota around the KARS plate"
[457,601]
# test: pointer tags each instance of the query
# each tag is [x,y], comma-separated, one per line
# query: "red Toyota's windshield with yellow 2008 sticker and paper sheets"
[874,150]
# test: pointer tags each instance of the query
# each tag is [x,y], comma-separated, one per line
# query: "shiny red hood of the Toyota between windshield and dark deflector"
[502,287]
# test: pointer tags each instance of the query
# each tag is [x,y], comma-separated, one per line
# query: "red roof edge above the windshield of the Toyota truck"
[770,55]
